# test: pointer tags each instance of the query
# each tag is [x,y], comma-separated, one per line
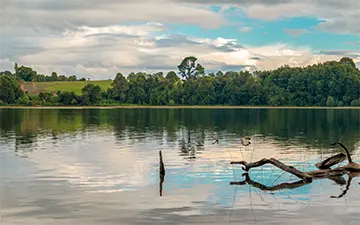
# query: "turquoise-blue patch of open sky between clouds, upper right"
[262,32]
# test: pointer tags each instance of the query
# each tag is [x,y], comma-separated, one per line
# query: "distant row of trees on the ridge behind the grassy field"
[28,74]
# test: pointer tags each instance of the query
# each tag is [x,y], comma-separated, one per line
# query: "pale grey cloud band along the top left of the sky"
[58,15]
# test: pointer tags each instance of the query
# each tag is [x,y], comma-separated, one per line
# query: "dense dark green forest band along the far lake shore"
[333,83]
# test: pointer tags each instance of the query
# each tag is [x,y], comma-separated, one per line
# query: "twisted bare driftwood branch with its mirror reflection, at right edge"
[324,167]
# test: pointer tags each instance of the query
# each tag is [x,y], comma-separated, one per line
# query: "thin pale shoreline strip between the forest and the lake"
[177,107]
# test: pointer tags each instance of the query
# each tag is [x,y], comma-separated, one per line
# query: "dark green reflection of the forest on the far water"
[314,128]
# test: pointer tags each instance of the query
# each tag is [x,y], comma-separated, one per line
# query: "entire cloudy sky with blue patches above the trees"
[97,39]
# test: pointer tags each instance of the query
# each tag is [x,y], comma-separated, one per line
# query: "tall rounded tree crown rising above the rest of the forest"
[188,68]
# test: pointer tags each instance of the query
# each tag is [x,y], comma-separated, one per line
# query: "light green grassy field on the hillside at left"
[75,86]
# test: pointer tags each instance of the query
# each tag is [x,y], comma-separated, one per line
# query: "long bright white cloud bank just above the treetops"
[134,48]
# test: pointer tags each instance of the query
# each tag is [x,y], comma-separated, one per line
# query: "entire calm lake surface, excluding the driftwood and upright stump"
[101,166]
